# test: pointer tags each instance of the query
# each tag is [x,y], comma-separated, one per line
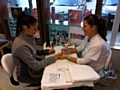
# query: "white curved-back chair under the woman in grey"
[8,66]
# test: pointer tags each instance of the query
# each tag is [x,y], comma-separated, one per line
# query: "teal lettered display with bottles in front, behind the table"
[59,31]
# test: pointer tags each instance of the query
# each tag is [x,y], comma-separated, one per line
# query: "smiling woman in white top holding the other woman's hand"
[94,50]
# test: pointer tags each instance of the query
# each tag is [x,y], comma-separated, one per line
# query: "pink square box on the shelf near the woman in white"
[75,17]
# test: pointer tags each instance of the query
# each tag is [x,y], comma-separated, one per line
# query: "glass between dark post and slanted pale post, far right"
[109,9]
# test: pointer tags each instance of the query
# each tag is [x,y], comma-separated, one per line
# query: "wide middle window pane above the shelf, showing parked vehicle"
[65,5]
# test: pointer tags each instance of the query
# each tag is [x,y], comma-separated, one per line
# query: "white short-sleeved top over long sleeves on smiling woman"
[94,53]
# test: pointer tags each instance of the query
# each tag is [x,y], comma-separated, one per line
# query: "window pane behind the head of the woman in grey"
[31,8]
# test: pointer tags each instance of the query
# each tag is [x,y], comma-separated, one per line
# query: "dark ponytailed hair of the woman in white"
[101,24]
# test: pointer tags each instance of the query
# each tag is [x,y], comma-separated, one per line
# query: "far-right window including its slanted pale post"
[109,11]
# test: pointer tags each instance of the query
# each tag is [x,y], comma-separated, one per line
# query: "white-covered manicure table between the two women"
[63,83]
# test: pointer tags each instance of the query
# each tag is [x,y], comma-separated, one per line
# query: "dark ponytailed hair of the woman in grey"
[26,20]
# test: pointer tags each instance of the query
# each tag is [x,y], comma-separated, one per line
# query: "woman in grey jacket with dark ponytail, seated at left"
[29,67]
